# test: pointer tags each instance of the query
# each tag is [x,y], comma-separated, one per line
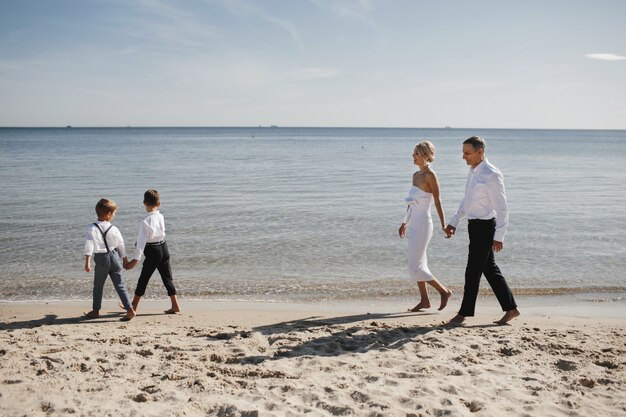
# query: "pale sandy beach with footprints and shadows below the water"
[263,359]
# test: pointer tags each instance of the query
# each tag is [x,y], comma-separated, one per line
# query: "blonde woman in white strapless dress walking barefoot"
[418,224]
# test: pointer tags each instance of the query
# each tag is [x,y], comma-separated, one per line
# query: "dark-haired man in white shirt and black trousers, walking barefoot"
[485,207]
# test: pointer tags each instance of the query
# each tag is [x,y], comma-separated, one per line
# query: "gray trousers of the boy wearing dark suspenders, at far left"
[109,264]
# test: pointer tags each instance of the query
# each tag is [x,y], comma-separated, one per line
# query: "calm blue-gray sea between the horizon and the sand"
[304,213]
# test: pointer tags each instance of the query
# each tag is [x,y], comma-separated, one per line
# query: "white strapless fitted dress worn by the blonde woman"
[419,232]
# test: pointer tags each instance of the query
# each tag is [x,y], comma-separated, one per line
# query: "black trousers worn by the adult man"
[480,260]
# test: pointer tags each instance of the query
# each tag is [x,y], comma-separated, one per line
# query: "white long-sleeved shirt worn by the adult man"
[484,198]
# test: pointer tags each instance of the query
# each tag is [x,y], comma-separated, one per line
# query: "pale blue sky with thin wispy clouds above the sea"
[545,64]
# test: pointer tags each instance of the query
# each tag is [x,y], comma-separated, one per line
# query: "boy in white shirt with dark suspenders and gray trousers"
[105,242]
